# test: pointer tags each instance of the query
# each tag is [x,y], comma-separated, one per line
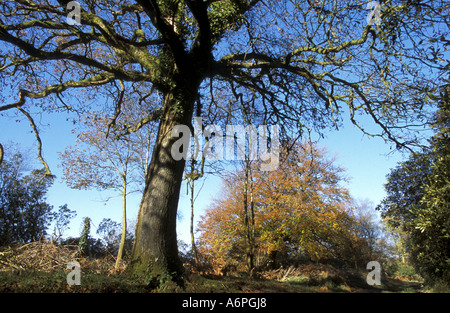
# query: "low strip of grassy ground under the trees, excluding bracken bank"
[55,282]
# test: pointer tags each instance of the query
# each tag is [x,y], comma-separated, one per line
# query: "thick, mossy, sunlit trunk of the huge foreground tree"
[155,250]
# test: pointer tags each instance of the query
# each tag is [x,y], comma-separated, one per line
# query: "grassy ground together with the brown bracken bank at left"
[41,267]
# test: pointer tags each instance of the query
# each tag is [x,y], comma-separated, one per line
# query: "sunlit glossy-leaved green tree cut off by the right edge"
[431,238]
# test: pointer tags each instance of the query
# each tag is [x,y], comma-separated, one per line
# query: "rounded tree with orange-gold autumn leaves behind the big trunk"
[301,210]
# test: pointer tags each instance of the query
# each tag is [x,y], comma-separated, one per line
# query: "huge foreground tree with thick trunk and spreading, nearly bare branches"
[301,64]
